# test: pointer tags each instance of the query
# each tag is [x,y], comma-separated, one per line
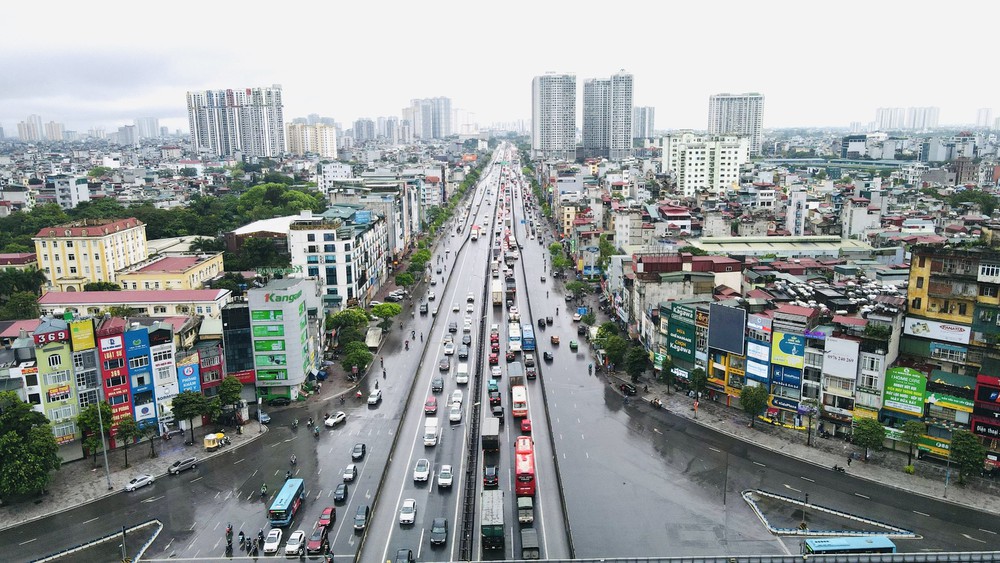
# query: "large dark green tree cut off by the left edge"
[28,450]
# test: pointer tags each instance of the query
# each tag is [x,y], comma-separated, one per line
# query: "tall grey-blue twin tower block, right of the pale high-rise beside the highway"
[607,117]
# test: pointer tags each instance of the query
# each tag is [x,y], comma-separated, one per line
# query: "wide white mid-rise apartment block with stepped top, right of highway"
[704,163]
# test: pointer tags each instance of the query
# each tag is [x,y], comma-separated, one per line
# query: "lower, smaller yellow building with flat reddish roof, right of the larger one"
[174,271]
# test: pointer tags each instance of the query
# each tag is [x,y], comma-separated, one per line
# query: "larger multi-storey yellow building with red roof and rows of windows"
[91,250]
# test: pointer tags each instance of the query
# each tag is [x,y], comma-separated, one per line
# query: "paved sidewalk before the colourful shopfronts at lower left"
[79,482]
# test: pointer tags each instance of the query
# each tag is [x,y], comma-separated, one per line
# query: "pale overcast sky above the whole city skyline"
[104,63]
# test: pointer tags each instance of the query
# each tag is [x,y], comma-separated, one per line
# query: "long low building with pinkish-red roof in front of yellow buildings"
[178,302]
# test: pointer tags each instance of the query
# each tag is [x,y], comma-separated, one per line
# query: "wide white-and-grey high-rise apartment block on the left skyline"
[243,122]
